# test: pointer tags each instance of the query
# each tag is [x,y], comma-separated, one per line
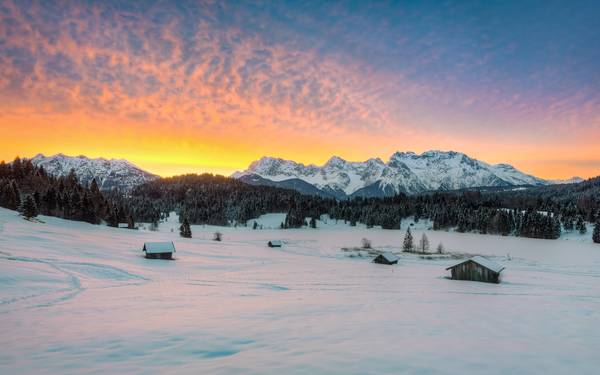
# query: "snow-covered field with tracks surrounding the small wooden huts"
[80,299]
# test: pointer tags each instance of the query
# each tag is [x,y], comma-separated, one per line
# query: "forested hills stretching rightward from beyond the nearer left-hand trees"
[537,213]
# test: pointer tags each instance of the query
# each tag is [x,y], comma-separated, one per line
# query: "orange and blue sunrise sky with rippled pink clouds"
[194,86]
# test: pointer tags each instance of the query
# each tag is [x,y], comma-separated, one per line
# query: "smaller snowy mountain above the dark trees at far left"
[109,173]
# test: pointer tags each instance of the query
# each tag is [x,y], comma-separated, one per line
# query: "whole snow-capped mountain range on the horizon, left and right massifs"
[404,172]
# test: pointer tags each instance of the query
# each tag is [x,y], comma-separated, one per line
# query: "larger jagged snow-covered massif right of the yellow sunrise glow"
[405,172]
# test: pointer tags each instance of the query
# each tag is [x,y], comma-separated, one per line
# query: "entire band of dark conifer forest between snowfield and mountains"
[542,212]
